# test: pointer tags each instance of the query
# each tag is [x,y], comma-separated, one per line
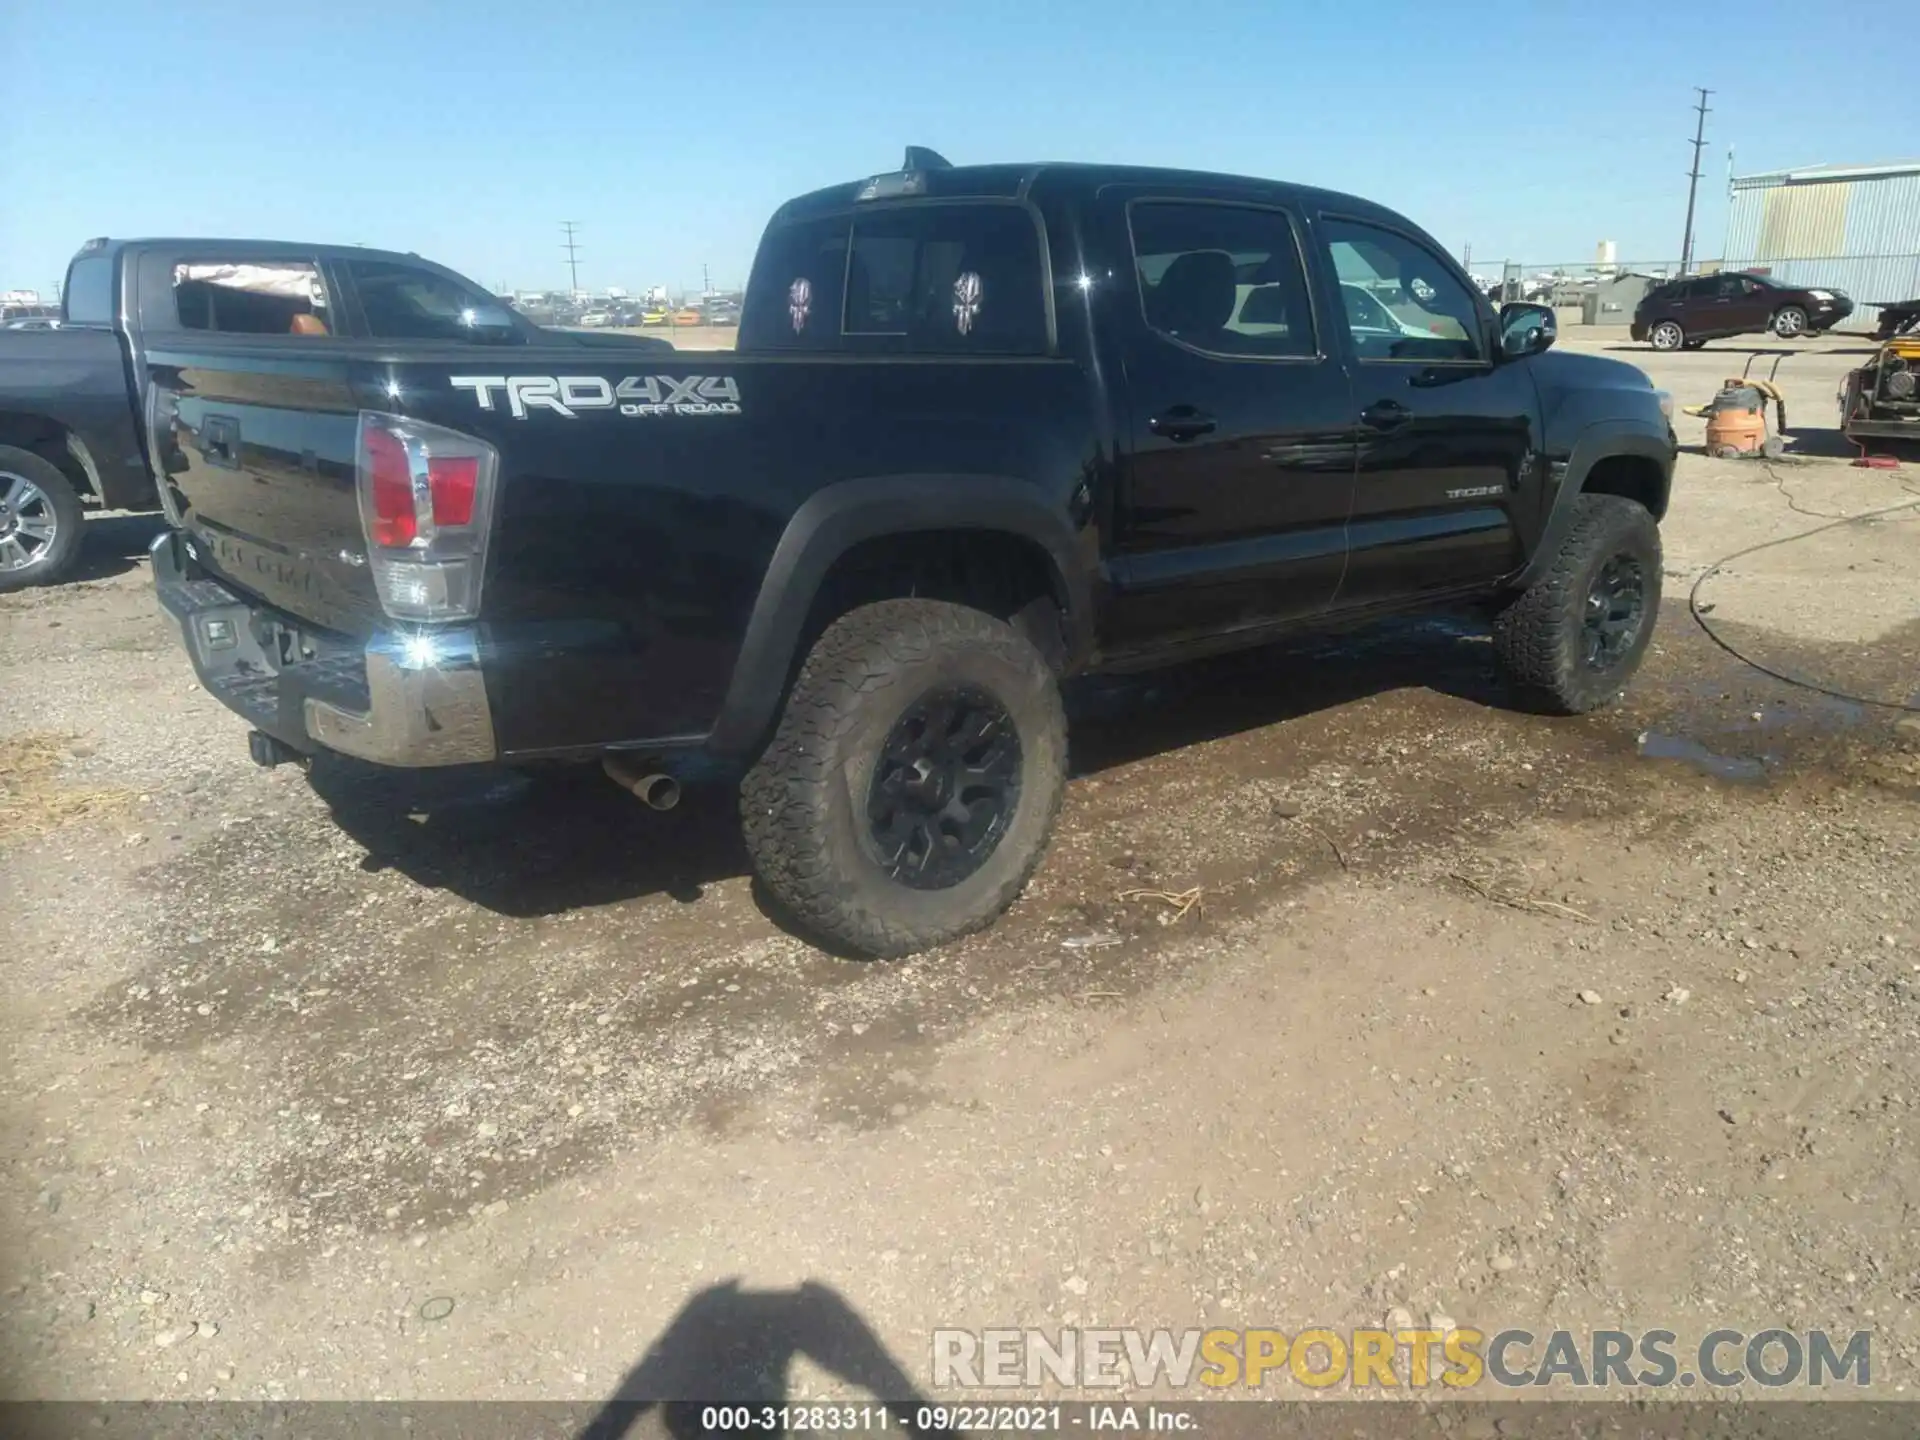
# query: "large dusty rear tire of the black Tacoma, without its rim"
[804,805]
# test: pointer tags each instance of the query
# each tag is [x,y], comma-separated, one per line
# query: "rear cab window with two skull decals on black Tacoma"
[913,281]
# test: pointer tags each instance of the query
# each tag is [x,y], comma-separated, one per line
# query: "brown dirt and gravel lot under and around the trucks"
[437,1088]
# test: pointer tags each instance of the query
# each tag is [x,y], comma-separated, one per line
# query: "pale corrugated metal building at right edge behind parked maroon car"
[1848,228]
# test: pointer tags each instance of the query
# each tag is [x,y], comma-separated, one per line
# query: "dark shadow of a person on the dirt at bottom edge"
[732,1347]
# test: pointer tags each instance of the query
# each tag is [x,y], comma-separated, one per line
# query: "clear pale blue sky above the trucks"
[669,132]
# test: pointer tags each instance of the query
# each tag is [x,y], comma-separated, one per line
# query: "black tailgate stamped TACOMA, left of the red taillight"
[258,456]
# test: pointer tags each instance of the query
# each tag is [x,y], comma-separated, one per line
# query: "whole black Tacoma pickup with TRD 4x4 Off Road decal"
[986,429]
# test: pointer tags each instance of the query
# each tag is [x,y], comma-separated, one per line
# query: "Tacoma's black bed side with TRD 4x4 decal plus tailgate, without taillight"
[642,496]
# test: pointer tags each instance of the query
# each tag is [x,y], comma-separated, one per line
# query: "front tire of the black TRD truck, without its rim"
[1539,638]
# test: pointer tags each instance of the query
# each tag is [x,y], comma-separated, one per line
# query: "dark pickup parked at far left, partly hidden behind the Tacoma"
[74,402]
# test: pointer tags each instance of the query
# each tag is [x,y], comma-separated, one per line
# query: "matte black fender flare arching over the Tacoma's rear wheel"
[852,512]
